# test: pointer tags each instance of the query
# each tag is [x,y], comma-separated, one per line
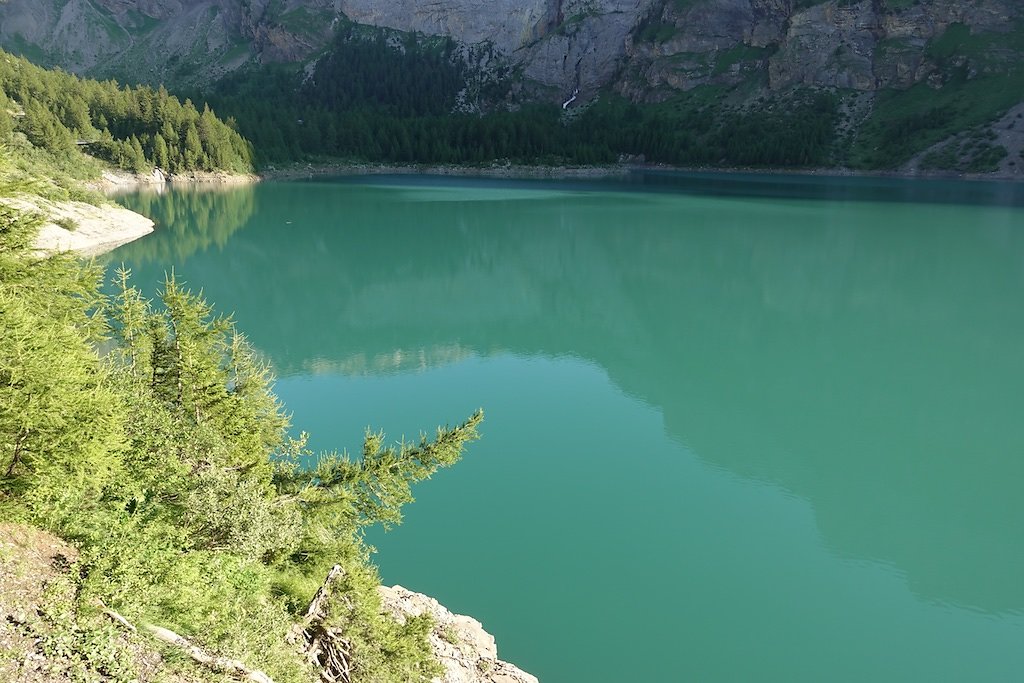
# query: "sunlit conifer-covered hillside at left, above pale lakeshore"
[136,129]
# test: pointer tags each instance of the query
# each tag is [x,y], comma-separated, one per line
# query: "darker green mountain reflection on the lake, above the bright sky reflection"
[863,354]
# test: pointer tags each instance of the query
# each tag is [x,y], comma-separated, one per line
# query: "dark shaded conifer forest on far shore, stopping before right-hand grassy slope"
[380,96]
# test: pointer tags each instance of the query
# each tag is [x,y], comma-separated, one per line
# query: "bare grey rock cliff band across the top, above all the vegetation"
[647,49]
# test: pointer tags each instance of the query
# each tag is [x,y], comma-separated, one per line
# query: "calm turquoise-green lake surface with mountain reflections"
[739,429]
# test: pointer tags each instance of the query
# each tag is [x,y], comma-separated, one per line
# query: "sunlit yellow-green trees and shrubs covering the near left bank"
[148,436]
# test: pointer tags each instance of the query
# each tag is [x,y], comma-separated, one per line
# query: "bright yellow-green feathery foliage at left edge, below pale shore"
[58,414]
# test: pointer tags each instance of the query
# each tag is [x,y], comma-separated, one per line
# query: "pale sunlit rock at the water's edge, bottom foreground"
[460,644]
